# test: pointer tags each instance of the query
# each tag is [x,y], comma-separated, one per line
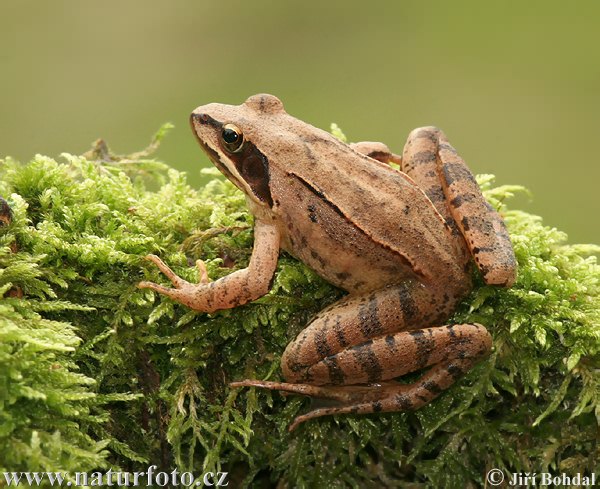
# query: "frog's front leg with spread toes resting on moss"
[233,290]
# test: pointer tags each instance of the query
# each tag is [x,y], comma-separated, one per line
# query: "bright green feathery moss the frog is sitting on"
[97,373]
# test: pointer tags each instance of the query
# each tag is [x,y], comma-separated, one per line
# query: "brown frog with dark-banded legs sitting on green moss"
[398,233]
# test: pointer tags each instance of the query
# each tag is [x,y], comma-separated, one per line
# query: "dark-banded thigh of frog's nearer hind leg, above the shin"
[351,322]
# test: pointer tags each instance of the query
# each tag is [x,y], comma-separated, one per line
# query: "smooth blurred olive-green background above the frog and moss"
[515,85]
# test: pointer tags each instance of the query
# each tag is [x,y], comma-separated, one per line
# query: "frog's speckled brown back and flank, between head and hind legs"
[360,223]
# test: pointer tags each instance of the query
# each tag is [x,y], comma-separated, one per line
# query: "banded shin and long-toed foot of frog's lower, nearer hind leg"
[449,351]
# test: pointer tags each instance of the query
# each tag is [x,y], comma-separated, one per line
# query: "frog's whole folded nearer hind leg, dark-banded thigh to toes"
[346,353]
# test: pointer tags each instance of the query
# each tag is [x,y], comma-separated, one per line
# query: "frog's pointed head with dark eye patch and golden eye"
[229,135]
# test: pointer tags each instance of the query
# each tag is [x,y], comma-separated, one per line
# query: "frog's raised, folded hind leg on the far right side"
[437,168]
